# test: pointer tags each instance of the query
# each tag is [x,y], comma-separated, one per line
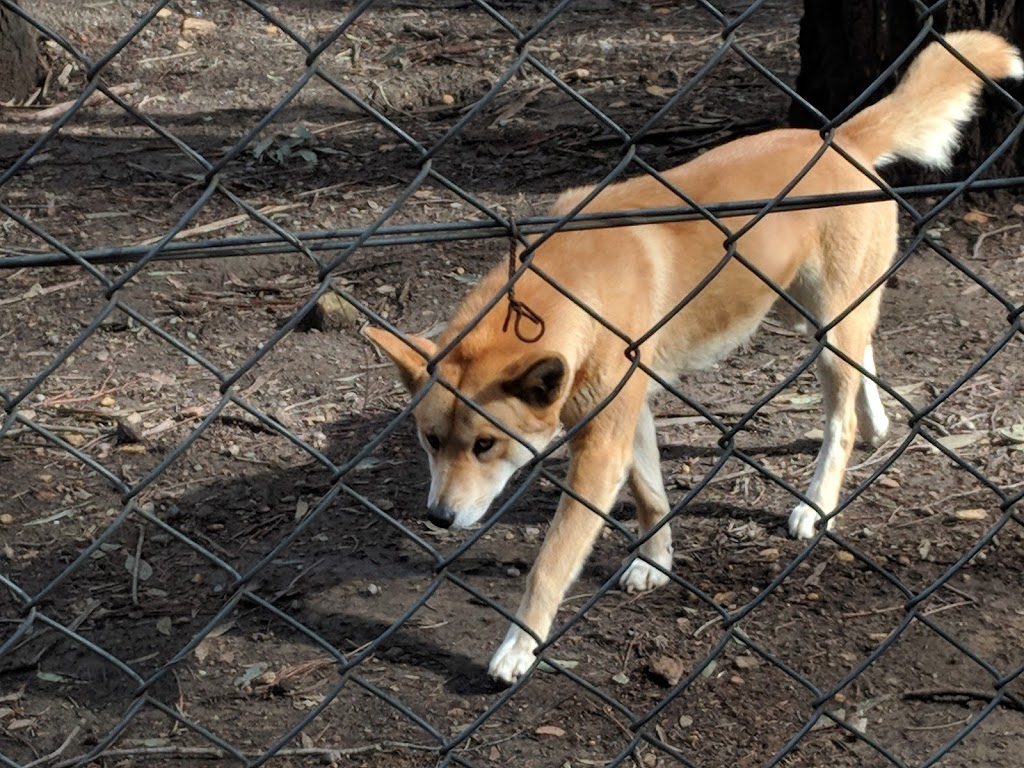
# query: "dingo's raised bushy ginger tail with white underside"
[921,120]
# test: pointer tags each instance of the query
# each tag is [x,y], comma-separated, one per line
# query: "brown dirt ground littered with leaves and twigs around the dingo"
[230,585]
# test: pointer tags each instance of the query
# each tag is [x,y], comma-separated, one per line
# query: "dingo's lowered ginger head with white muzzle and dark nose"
[472,458]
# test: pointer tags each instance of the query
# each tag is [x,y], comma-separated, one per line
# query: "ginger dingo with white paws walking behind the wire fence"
[632,277]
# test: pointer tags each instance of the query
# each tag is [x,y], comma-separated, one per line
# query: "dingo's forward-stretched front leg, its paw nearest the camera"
[598,473]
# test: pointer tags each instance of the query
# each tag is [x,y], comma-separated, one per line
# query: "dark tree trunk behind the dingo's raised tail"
[845,45]
